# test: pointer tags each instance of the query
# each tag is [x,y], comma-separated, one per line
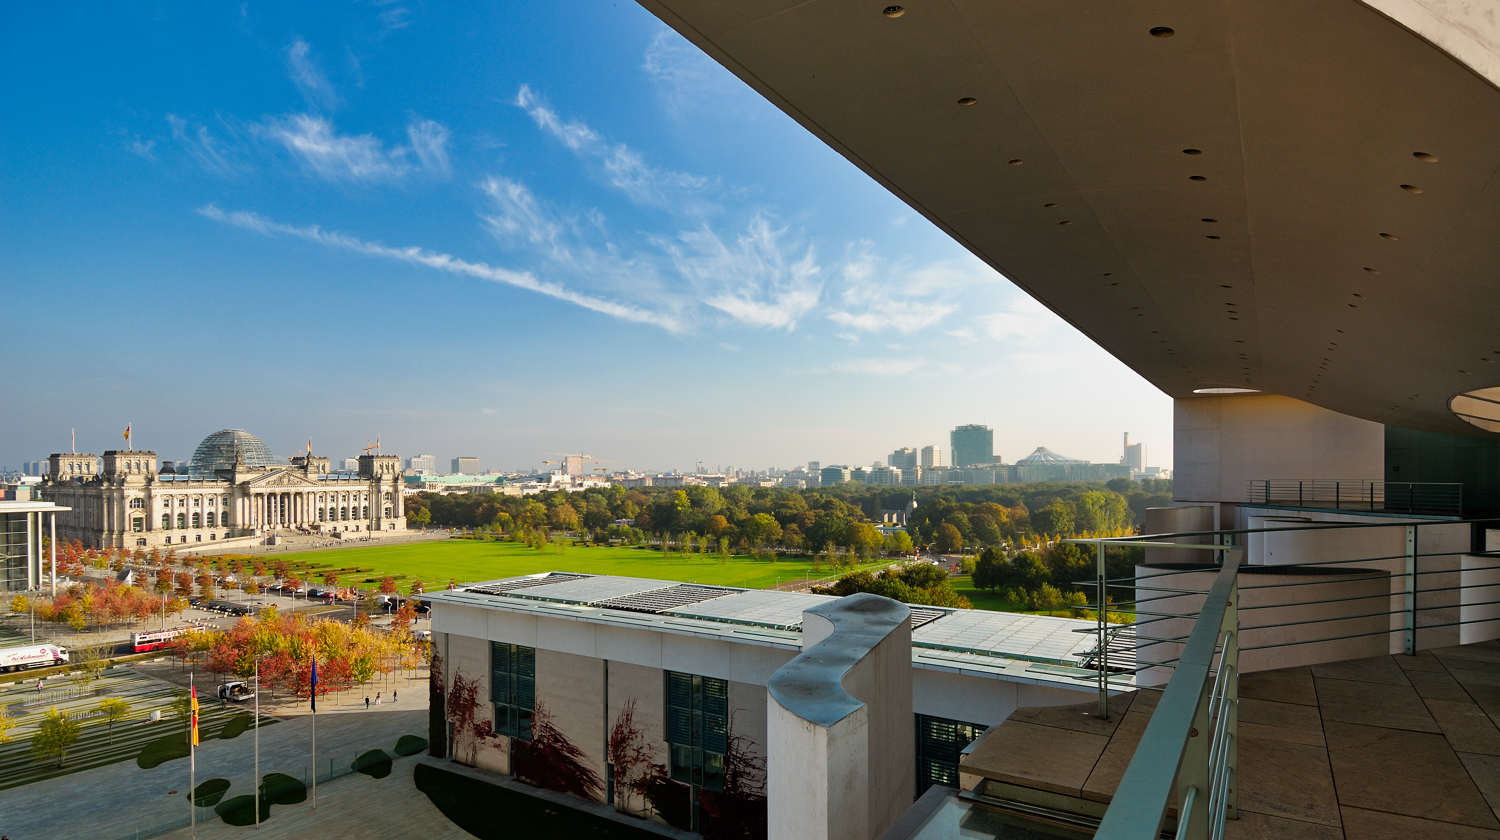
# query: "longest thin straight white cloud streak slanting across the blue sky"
[442,263]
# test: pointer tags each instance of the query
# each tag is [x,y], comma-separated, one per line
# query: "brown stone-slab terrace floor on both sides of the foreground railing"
[1379,749]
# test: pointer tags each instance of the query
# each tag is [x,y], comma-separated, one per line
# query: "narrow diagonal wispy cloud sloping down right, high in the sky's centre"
[620,166]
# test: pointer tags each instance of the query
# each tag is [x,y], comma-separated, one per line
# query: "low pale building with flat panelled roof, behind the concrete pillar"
[611,670]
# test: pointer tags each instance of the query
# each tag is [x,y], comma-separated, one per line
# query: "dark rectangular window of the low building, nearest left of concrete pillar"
[698,728]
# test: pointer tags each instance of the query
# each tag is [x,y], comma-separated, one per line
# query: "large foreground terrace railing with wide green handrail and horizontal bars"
[1307,595]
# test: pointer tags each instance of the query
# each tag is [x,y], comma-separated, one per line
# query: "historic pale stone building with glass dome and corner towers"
[233,490]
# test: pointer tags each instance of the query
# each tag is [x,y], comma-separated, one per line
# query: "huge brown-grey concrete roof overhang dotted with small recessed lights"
[1292,196]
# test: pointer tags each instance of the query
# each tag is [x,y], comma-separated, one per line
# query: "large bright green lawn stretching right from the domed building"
[436,563]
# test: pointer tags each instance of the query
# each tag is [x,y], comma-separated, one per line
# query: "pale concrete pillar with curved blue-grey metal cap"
[841,754]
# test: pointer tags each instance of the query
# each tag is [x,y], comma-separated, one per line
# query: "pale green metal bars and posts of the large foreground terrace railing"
[1190,743]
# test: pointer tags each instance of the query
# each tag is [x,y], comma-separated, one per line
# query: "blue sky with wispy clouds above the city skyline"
[500,230]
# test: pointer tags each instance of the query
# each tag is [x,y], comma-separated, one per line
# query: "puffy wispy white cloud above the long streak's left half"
[359,158]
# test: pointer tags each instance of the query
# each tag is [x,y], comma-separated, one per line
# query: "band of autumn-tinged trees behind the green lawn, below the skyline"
[836,520]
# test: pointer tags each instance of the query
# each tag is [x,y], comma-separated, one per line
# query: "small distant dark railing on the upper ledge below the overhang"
[1433,499]
